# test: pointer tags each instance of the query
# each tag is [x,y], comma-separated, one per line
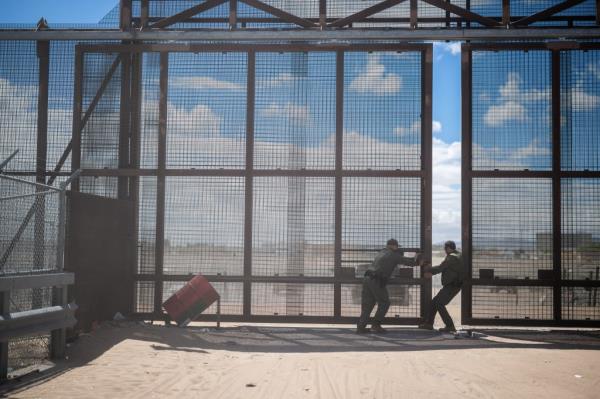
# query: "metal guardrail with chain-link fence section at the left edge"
[33,259]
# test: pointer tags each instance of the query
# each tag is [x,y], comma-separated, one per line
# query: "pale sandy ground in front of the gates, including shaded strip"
[132,360]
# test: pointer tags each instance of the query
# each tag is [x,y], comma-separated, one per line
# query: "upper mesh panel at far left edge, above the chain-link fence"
[19,76]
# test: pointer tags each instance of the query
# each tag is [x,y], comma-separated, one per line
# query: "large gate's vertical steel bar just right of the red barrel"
[249,193]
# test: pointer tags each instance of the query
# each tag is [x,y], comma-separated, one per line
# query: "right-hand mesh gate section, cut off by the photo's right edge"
[531,183]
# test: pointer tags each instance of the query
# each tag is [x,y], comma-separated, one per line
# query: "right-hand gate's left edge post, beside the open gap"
[466,186]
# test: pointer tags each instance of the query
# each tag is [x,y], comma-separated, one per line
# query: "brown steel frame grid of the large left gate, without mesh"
[249,172]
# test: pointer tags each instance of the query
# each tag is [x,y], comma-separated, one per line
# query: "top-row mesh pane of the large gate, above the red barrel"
[207,110]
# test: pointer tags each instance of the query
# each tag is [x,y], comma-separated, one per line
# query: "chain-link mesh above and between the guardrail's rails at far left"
[29,241]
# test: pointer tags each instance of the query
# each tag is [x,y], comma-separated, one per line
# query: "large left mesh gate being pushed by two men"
[277,171]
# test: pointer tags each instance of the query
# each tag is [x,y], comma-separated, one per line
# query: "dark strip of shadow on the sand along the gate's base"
[305,339]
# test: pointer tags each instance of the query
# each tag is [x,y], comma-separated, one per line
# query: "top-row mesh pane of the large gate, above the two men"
[382,111]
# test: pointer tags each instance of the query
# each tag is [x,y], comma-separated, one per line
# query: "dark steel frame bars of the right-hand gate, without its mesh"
[557,175]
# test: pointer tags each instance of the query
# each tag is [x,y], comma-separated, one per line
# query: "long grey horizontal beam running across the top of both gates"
[309,35]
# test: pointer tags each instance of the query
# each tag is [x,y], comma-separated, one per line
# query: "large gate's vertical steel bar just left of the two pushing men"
[339,149]
